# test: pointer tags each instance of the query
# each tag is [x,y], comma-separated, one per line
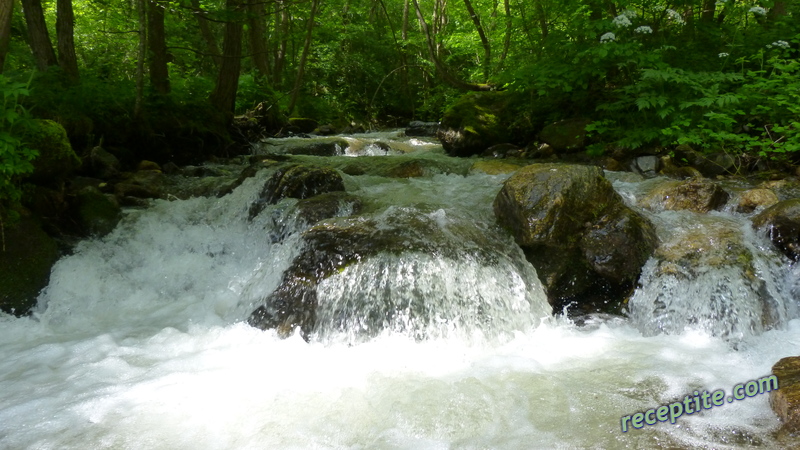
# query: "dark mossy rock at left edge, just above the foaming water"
[25,265]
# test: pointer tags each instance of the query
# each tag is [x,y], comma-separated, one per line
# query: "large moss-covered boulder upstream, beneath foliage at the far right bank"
[476,122]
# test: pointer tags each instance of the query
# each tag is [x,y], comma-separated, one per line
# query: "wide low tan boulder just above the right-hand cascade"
[697,195]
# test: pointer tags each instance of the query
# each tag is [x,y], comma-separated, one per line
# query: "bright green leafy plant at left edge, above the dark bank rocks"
[15,155]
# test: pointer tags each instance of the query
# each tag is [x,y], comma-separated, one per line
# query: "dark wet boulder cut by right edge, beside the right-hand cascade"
[781,222]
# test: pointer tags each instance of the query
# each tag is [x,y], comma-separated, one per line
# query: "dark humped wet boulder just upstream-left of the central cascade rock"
[297,181]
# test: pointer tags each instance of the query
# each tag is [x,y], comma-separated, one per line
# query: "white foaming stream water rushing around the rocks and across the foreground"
[139,342]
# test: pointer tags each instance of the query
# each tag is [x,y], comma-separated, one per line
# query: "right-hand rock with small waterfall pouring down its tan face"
[705,275]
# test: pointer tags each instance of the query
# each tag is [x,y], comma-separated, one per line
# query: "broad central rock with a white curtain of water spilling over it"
[399,241]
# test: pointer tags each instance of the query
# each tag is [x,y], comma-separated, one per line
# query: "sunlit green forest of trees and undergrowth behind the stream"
[165,79]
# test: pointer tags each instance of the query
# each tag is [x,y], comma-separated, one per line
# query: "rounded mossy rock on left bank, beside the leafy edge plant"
[56,160]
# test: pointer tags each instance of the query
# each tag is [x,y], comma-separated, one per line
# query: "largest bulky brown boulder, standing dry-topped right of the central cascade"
[587,246]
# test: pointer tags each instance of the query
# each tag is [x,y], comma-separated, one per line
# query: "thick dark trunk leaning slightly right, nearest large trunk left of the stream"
[224,95]
